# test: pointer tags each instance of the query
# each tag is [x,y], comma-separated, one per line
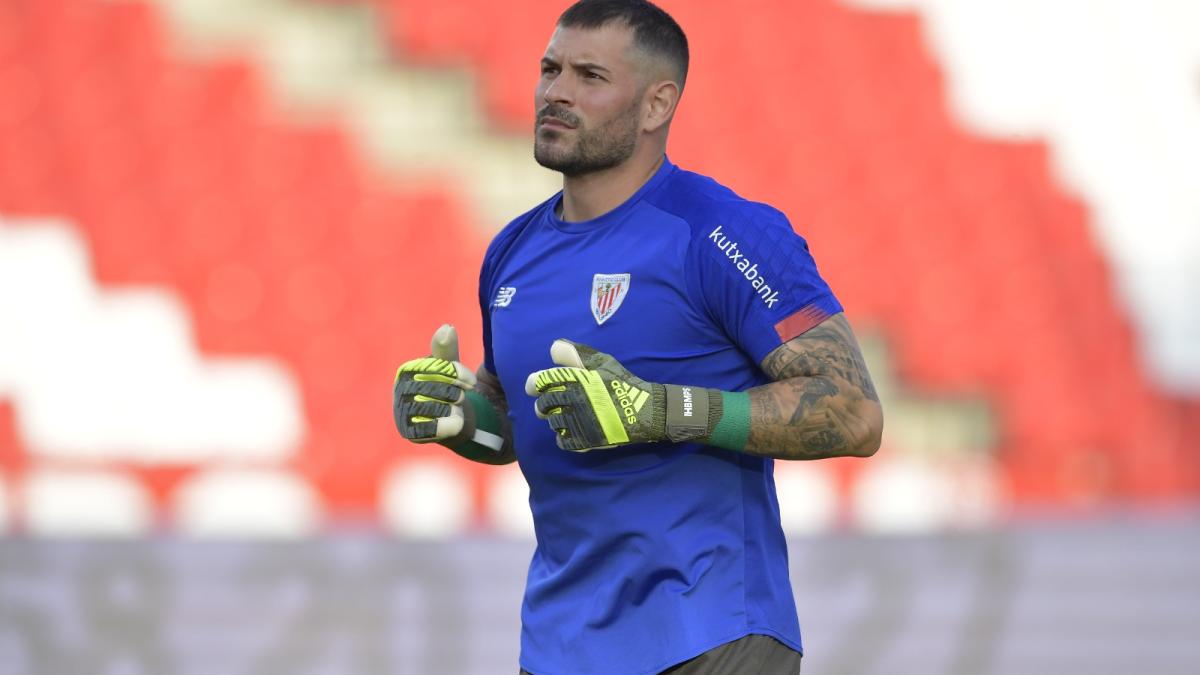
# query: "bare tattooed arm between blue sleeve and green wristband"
[823,403]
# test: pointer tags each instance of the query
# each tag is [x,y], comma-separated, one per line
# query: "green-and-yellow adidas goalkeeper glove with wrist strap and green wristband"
[593,402]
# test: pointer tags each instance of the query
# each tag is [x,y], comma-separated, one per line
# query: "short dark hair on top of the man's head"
[655,31]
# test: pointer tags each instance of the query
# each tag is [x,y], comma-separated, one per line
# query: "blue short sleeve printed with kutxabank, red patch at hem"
[758,279]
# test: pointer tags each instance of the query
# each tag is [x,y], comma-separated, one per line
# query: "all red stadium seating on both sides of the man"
[284,238]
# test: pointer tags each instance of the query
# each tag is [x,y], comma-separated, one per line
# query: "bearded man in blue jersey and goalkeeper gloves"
[659,545]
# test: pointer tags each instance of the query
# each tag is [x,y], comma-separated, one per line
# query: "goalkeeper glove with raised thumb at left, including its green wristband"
[434,402]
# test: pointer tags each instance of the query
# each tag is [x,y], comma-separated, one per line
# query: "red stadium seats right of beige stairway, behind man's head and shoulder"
[967,253]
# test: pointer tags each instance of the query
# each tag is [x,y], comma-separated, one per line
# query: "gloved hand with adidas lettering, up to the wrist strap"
[592,402]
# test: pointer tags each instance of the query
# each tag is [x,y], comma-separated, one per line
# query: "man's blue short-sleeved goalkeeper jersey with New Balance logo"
[649,555]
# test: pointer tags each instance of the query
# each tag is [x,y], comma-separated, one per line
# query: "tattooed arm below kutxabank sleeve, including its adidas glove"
[821,405]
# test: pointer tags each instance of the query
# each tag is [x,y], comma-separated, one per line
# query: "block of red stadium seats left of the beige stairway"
[278,238]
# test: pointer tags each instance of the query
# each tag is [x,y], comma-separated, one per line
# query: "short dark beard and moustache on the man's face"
[595,150]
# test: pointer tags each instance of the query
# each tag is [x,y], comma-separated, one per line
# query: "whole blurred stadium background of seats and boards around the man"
[225,223]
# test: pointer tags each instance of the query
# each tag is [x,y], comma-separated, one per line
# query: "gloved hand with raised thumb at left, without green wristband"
[429,395]
